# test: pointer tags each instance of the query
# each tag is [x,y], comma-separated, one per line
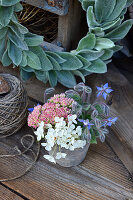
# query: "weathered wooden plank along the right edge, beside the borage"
[122,106]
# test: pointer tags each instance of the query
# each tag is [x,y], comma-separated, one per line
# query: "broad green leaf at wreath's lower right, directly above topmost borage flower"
[97,66]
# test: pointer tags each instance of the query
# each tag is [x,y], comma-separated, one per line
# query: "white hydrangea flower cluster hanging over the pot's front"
[63,135]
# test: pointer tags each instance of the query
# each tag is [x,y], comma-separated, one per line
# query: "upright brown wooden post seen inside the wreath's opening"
[69,26]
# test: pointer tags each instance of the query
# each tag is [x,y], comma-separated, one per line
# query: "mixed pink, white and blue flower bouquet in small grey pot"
[68,123]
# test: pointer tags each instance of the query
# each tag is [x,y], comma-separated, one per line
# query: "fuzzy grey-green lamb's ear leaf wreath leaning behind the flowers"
[94,51]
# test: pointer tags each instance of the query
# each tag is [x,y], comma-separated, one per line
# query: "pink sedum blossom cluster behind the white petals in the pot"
[58,106]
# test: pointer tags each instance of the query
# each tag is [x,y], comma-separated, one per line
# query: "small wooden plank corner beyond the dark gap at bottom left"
[6,194]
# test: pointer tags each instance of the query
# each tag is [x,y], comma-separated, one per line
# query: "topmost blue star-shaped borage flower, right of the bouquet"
[104,91]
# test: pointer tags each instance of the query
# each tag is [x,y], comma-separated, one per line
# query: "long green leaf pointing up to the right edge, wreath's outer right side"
[120,32]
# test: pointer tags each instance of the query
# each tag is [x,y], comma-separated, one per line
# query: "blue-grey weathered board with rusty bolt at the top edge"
[59,7]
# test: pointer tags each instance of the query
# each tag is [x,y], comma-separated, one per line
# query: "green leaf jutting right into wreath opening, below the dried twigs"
[33,39]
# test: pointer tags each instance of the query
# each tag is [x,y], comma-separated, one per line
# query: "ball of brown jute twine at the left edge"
[13,107]
